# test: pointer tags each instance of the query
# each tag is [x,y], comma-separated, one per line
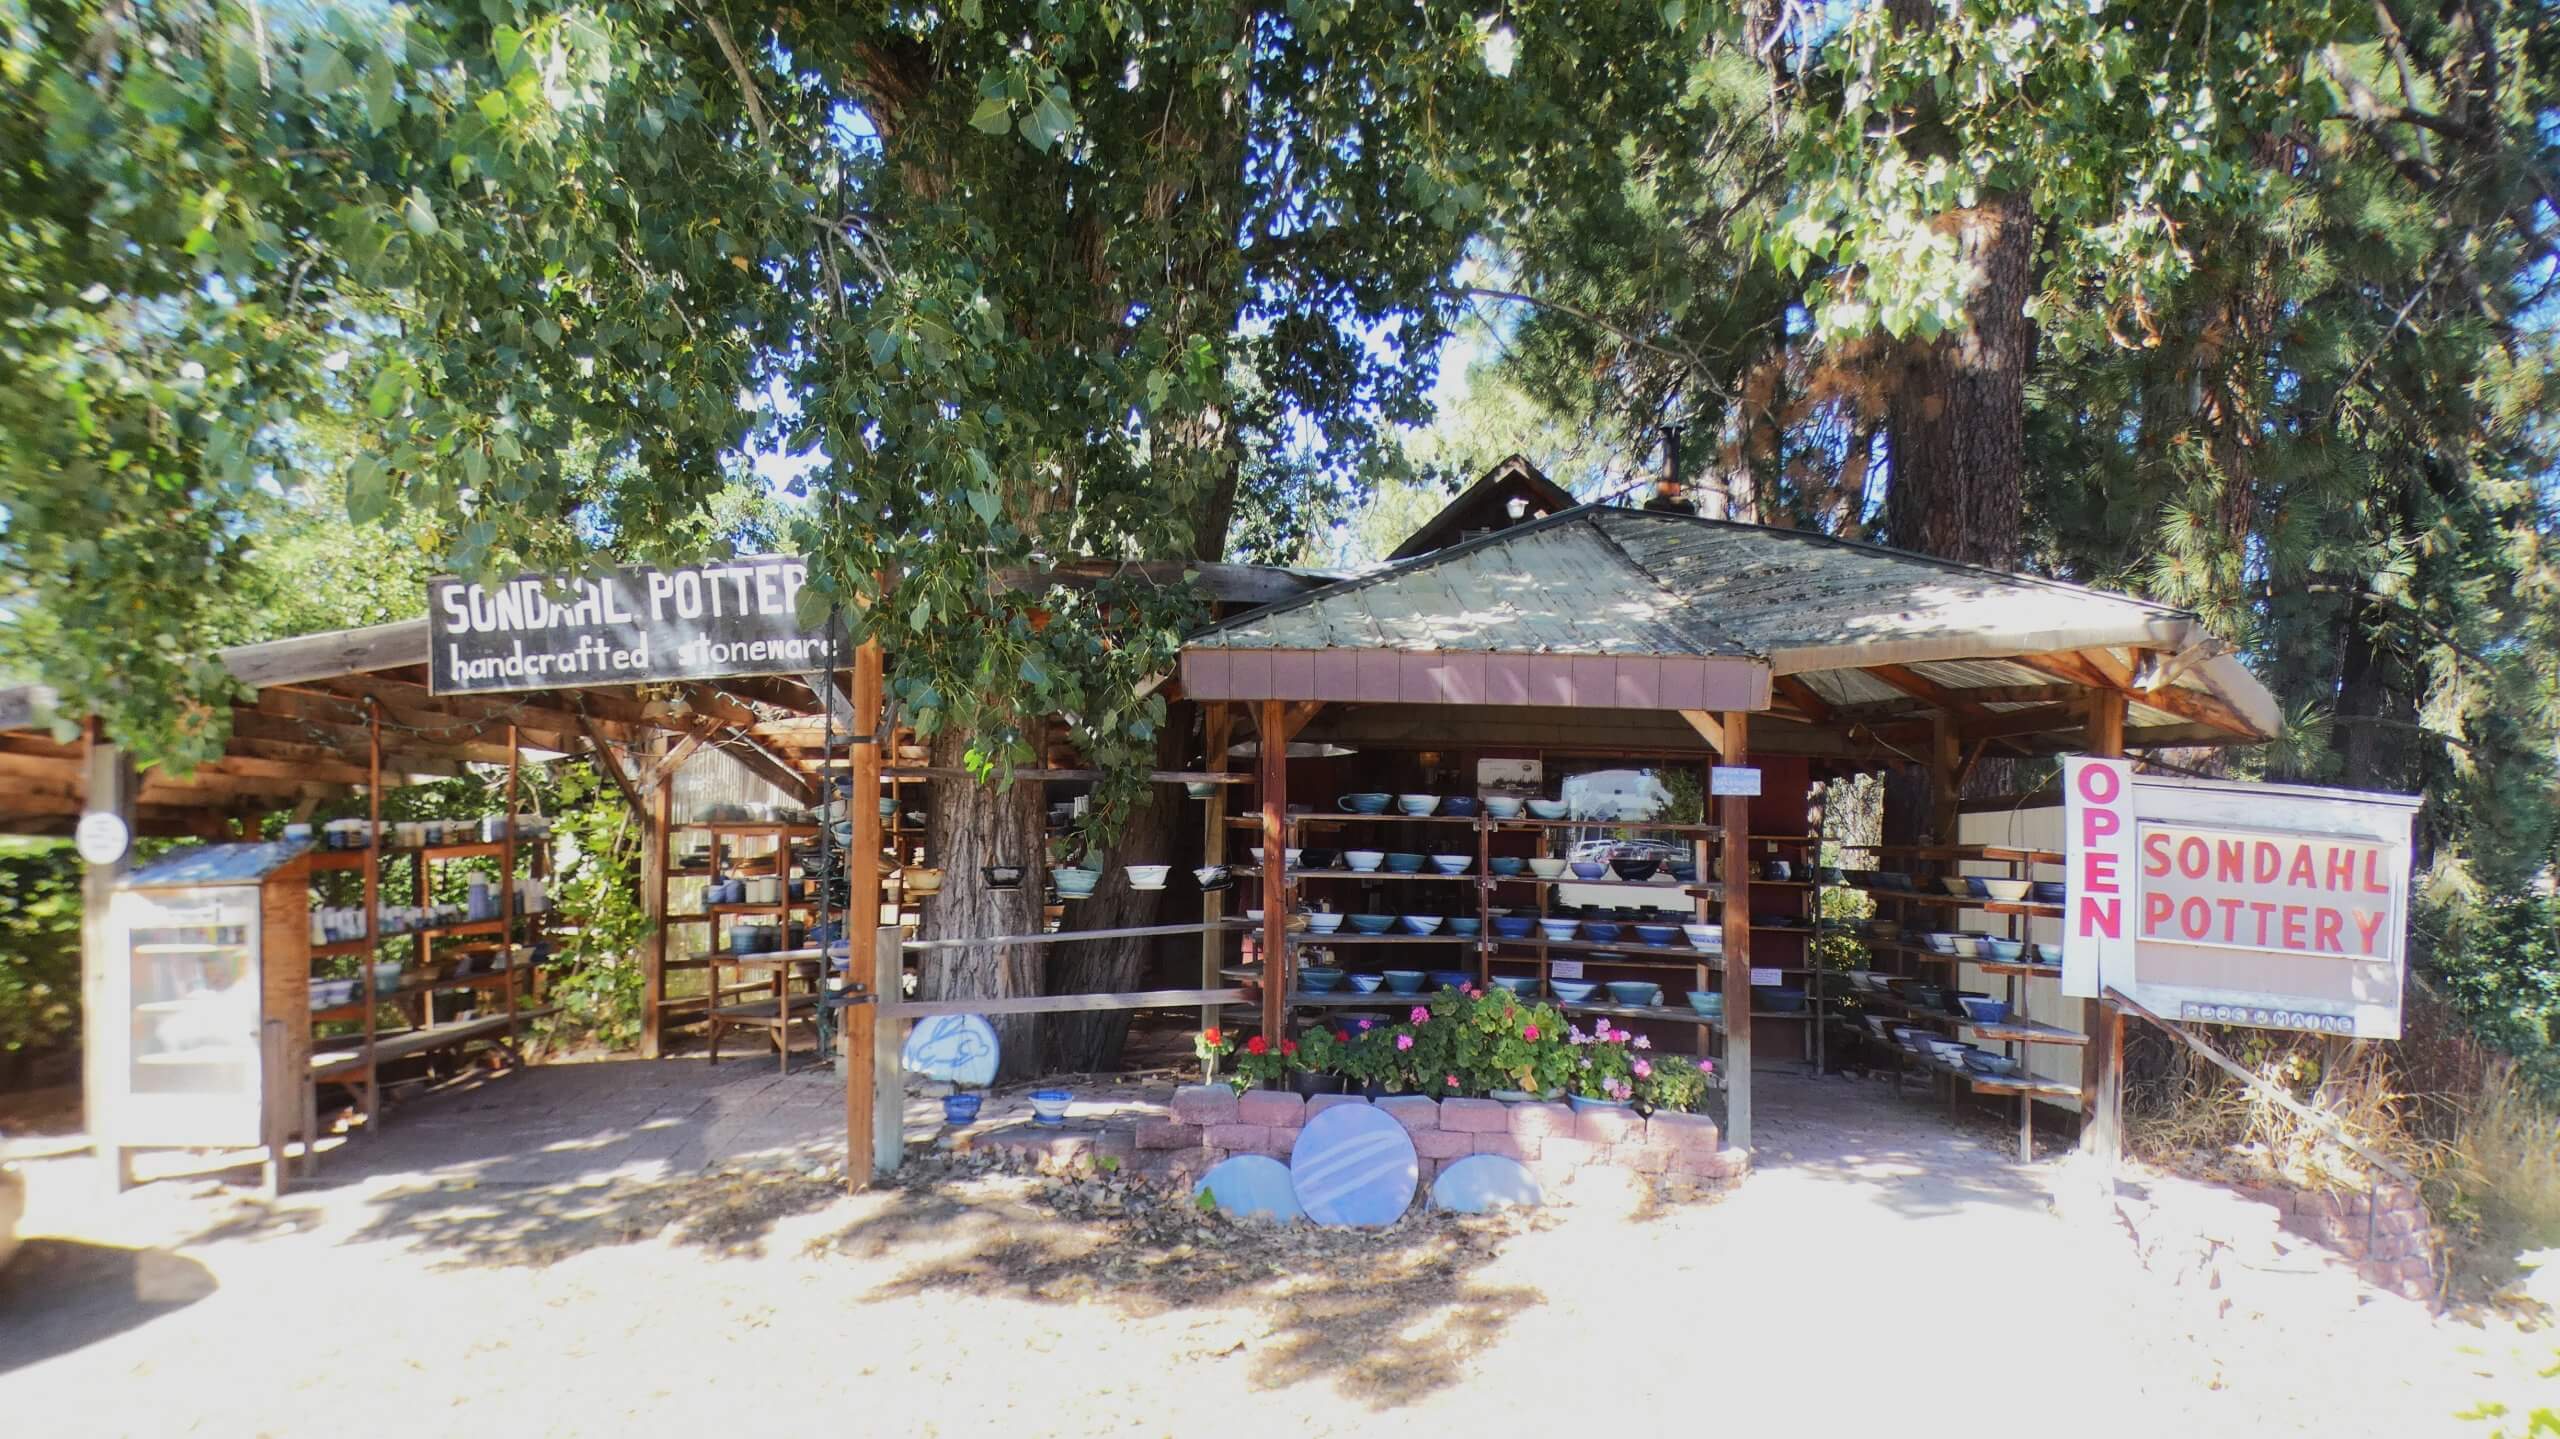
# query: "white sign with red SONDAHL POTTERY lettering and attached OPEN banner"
[2236,903]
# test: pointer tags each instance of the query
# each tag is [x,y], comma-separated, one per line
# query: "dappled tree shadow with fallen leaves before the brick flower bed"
[1384,1315]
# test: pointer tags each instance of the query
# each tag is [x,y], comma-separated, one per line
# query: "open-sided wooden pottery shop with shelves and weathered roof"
[1522,649]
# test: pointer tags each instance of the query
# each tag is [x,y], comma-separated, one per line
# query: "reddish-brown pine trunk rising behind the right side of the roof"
[1960,403]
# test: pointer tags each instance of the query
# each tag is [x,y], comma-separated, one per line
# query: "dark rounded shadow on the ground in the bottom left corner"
[70,1294]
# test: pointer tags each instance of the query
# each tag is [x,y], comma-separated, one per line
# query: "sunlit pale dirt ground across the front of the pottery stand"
[664,1248]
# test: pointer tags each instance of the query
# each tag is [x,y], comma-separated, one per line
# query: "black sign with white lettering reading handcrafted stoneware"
[623,626]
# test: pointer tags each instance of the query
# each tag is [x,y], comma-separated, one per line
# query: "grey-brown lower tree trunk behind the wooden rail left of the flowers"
[982,826]
